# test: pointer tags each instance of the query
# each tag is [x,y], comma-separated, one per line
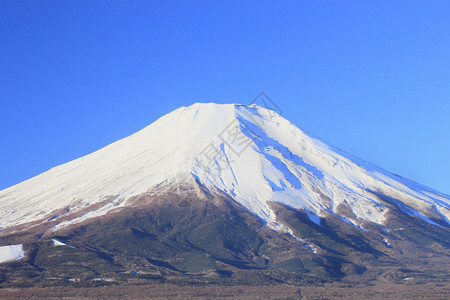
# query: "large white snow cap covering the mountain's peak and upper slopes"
[248,152]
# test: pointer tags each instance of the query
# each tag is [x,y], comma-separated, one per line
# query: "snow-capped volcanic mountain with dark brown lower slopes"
[222,194]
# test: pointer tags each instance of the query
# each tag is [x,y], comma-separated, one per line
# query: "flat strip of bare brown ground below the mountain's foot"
[170,291]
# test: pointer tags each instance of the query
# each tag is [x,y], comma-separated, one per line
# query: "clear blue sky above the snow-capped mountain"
[370,77]
